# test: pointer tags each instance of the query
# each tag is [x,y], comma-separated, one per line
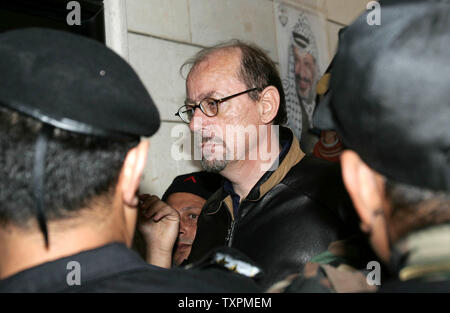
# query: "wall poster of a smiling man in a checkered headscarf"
[303,54]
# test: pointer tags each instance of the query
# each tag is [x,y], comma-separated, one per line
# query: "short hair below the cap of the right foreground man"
[414,208]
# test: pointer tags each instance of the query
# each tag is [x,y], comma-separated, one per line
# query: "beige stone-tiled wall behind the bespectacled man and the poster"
[162,34]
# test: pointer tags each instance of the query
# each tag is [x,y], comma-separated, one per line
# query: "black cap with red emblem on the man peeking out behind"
[202,184]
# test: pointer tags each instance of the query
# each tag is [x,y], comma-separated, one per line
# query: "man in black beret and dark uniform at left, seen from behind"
[71,116]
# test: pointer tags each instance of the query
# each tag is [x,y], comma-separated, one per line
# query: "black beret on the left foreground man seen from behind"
[74,83]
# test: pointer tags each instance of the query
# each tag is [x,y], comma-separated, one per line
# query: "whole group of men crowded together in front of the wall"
[264,216]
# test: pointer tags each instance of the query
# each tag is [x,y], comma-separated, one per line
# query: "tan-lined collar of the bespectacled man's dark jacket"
[270,179]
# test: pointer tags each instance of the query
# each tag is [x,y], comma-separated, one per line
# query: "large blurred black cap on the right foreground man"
[390,93]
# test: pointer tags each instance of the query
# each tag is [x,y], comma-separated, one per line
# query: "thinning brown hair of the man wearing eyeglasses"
[257,71]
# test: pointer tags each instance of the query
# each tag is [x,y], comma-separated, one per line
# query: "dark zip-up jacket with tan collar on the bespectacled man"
[290,215]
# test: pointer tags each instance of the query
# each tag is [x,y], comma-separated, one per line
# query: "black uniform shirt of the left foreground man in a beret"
[115,268]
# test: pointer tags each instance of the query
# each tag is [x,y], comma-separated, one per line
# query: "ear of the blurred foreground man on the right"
[364,186]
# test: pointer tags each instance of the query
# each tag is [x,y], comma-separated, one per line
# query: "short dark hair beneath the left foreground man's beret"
[77,169]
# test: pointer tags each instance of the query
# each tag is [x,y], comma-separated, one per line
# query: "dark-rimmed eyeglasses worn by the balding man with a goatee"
[209,106]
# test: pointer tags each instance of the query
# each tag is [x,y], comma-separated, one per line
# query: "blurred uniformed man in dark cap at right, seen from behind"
[390,105]
